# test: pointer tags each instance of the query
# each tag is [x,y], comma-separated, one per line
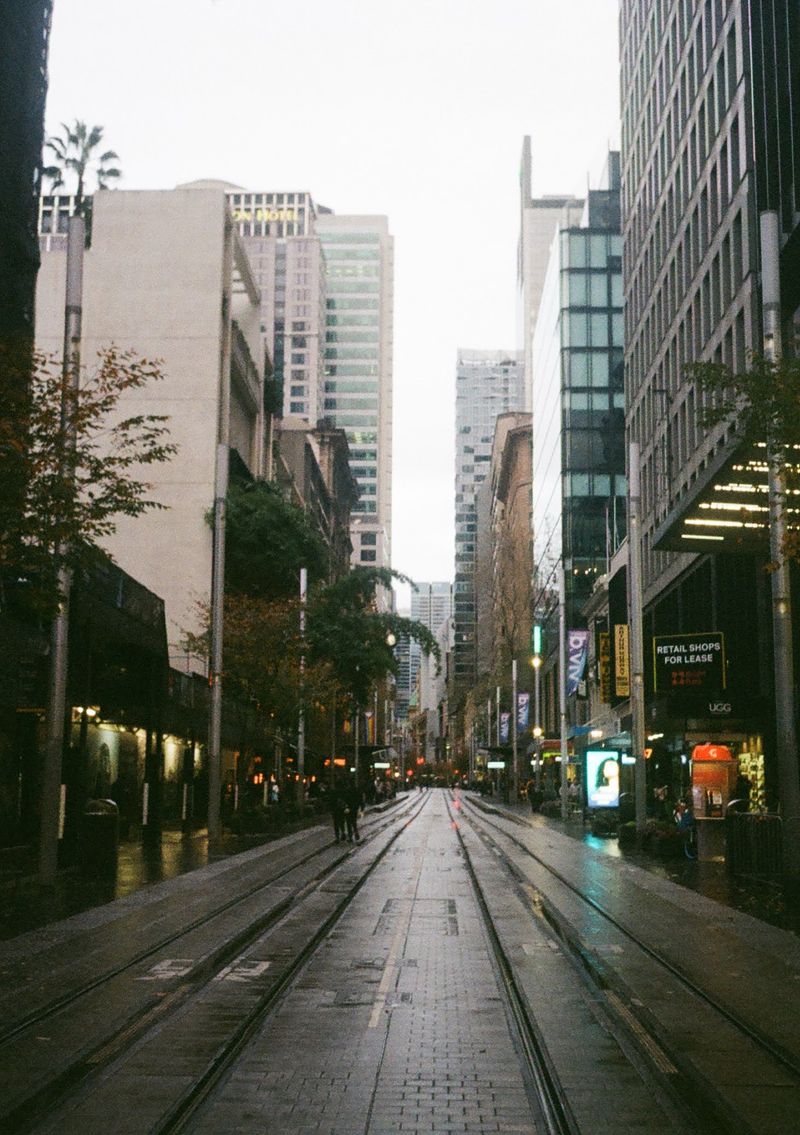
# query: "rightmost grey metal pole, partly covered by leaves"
[786,733]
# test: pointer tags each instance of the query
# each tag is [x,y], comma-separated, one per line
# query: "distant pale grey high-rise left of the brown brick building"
[489,384]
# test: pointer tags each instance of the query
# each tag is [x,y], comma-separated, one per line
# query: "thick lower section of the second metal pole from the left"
[216,660]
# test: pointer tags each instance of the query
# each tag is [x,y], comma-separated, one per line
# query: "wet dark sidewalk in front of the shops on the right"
[708,876]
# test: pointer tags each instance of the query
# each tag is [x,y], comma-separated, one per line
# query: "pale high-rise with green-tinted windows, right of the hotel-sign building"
[359,283]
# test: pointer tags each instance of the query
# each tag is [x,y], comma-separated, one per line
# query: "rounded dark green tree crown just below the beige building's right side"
[268,541]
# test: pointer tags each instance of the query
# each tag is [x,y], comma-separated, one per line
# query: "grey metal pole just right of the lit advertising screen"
[635,618]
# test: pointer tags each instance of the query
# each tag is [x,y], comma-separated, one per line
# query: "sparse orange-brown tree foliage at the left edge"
[83,461]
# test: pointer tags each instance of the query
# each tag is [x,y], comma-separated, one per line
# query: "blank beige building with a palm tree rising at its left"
[165,278]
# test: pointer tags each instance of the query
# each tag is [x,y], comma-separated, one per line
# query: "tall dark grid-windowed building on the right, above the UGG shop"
[711,139]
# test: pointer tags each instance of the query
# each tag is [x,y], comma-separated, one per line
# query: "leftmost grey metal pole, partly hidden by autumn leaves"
[54,796]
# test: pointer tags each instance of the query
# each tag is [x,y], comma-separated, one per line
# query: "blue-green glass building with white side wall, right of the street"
[579,457]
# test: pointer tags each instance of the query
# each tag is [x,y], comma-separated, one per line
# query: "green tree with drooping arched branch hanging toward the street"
[347,630]
